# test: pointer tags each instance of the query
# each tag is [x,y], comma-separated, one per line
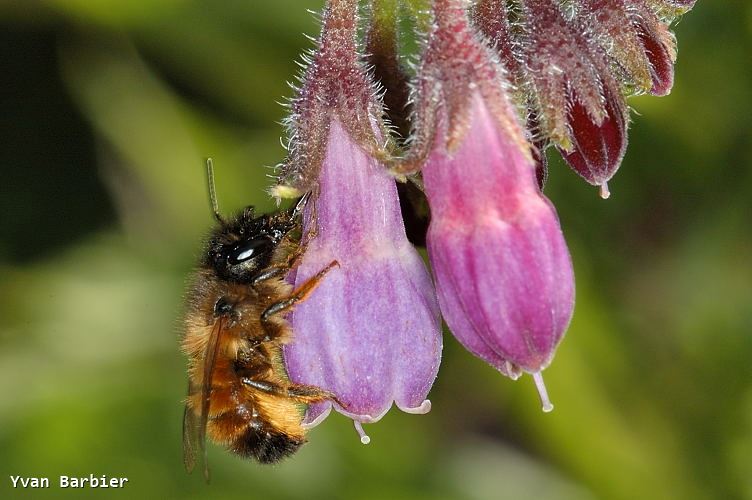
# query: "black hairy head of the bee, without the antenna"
[242,247]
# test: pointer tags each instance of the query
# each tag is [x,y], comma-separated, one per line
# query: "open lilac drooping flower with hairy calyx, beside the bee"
[370,333]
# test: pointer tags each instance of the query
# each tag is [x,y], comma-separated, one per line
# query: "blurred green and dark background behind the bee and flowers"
[107,109]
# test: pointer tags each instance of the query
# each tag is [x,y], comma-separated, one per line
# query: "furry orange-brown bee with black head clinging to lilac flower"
[239,393]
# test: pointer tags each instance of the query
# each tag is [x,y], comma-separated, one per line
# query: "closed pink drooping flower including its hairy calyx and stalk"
[502,269]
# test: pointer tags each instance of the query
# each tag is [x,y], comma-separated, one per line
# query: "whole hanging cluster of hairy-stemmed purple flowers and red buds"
[497,83]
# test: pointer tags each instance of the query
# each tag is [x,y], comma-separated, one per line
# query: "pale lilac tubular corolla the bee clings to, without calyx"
[371,333]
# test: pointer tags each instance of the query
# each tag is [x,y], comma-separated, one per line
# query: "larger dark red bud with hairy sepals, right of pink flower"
[580,103]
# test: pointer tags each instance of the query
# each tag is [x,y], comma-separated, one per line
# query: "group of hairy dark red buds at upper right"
[573,67]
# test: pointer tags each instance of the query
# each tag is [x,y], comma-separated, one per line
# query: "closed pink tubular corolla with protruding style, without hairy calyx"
[502,268]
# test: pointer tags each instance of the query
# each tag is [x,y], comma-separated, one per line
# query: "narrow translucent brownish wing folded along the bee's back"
[194,426]
